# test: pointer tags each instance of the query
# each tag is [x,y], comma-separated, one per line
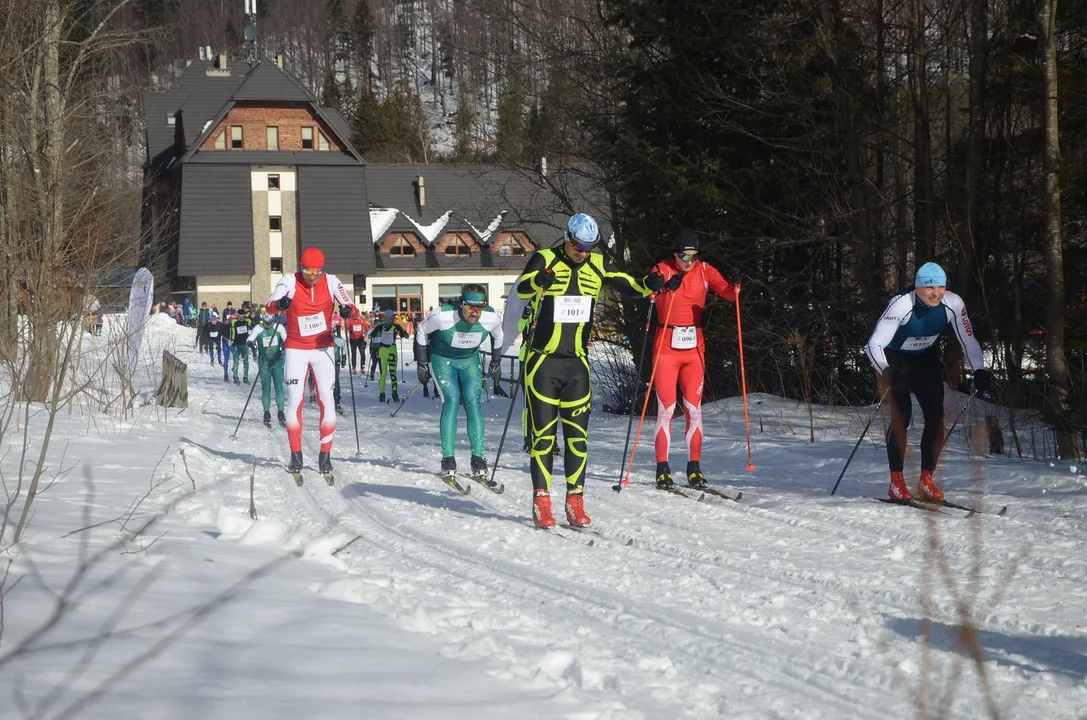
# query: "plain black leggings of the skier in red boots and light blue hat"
[922,376]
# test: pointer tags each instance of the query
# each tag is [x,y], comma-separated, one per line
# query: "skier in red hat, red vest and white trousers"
[307,299]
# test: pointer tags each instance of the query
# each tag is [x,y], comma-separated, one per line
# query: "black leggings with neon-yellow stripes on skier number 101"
[558,389]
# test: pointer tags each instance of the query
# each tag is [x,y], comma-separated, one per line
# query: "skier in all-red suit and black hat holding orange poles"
[680,350]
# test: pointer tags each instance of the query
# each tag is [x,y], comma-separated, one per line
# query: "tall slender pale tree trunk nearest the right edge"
[1057,367]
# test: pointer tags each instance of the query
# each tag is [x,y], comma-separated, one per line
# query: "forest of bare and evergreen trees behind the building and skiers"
[824,148]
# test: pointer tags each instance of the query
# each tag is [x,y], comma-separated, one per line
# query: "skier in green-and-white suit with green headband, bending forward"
[447,345]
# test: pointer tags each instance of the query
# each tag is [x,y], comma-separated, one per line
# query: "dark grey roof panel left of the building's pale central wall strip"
[218,226]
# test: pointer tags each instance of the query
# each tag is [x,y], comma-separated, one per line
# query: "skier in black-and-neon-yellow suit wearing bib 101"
[564,285]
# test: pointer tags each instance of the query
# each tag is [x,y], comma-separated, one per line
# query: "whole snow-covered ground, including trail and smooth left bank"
[390,597]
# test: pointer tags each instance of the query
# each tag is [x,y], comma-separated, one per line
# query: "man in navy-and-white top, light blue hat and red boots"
[905,354]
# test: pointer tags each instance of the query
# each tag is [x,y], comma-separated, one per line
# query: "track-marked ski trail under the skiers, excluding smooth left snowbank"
[789,604]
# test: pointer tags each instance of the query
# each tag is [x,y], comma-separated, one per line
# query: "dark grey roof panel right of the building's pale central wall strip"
[334,216]
